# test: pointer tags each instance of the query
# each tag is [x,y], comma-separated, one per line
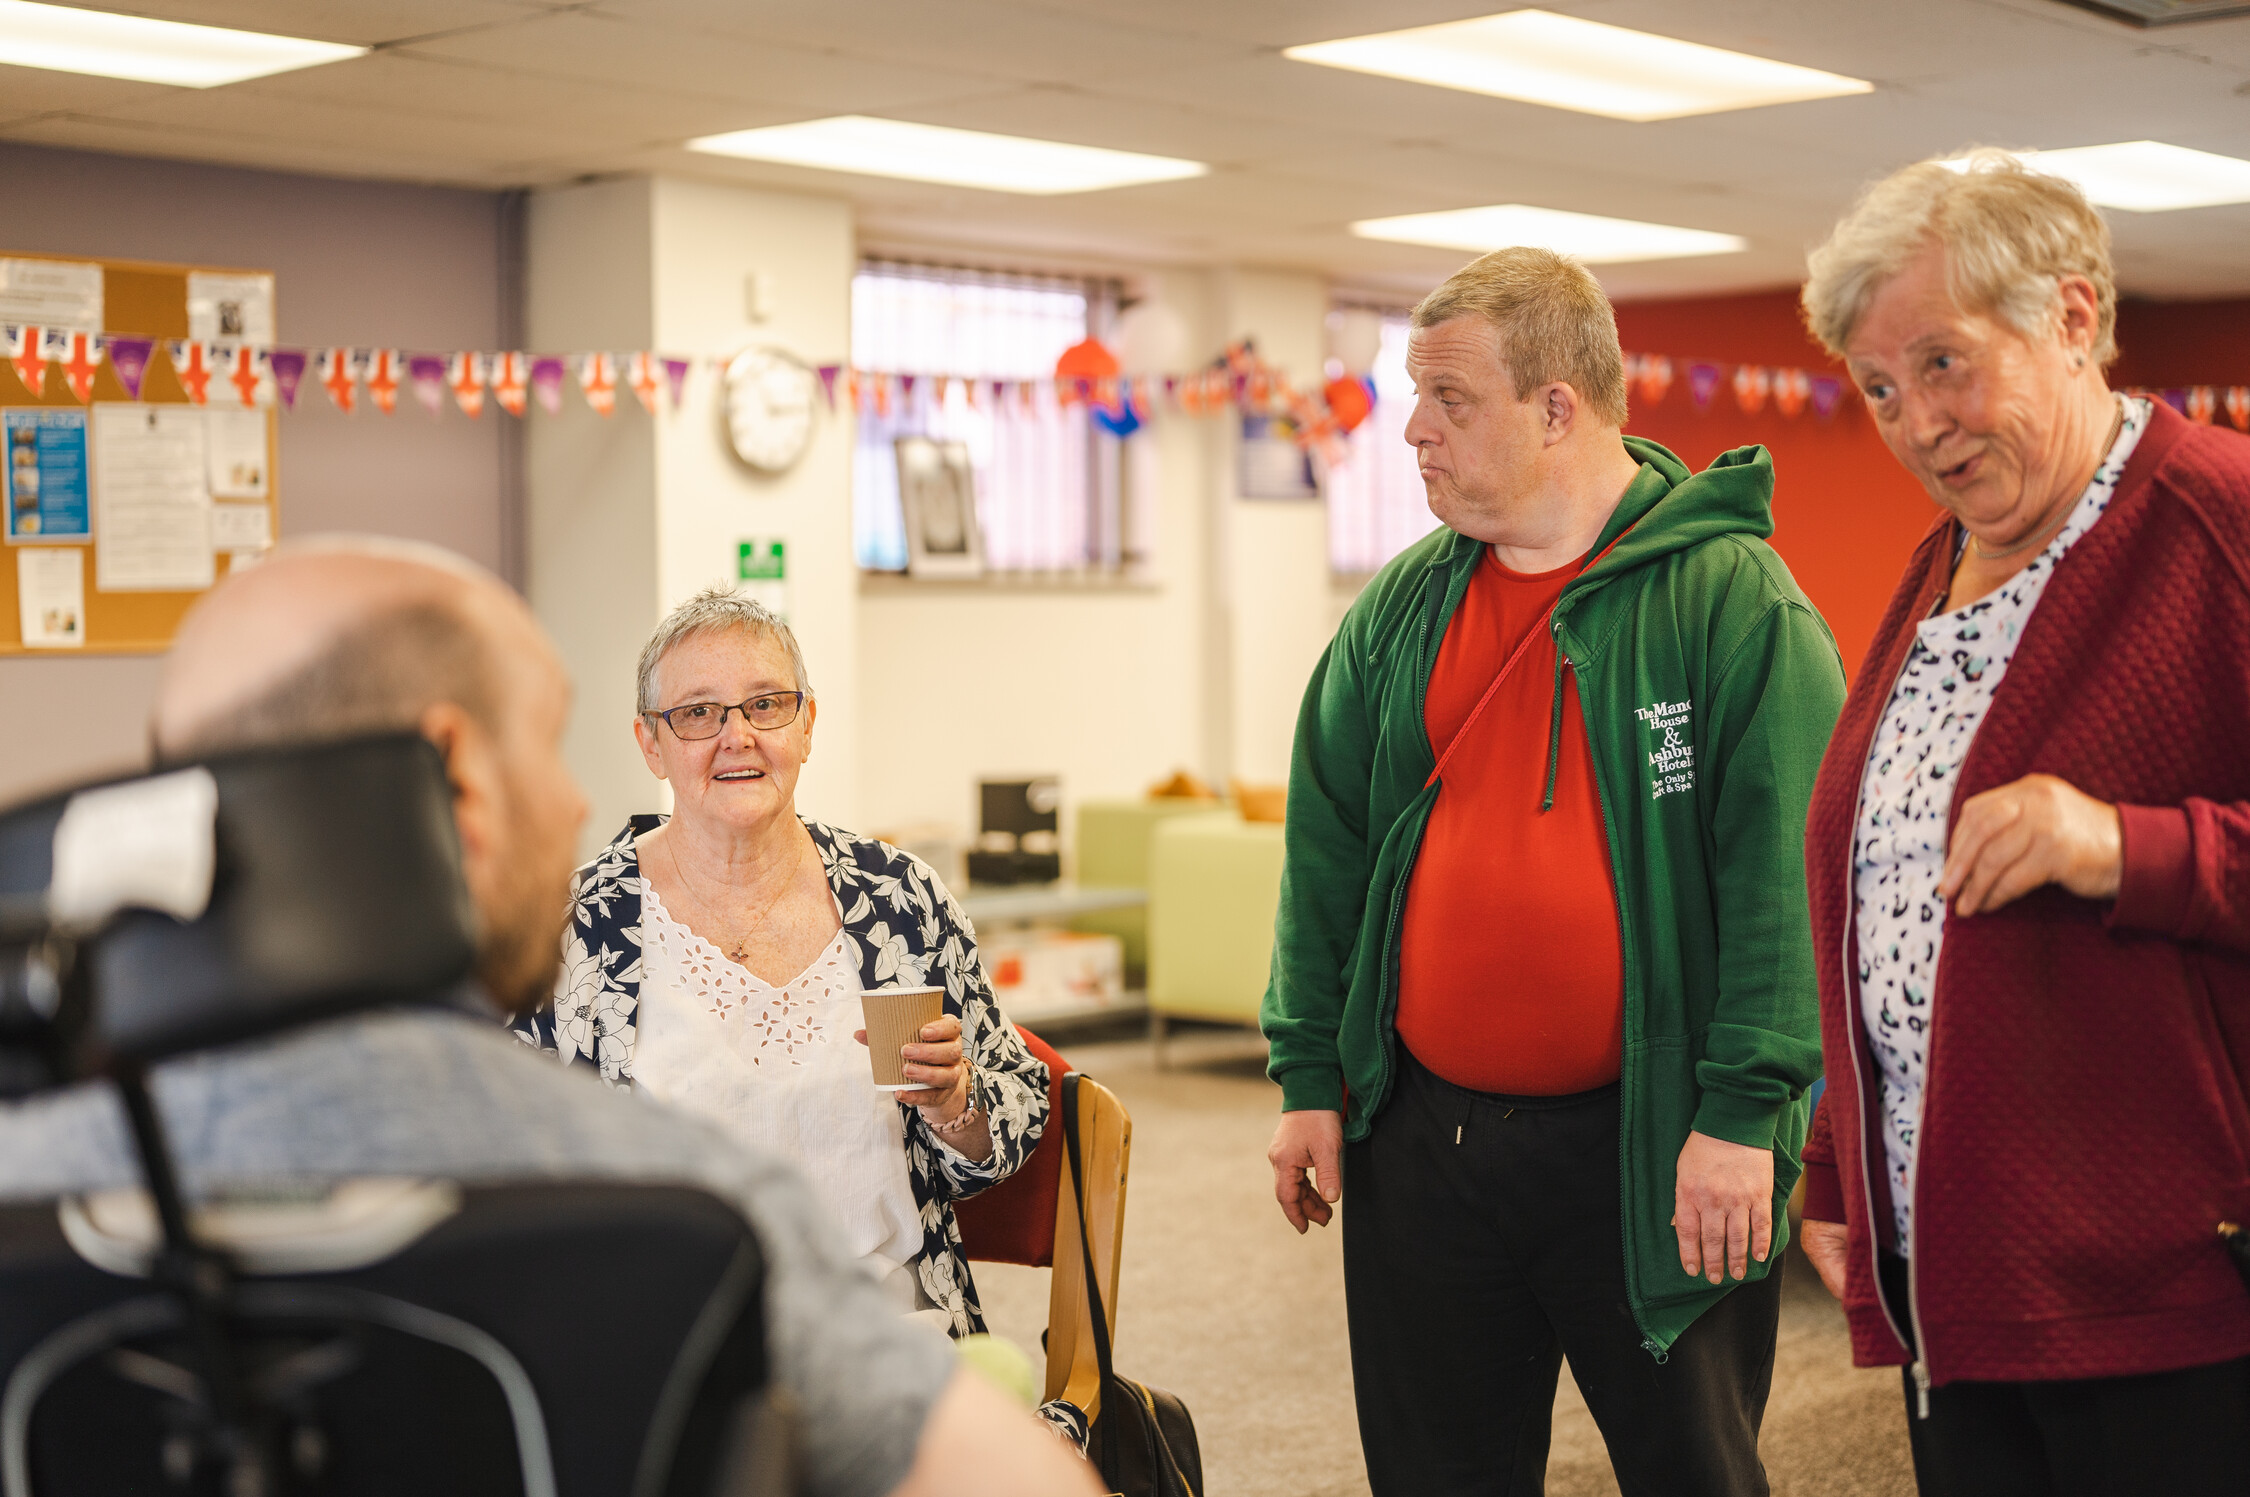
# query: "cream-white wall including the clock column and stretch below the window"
[921,690]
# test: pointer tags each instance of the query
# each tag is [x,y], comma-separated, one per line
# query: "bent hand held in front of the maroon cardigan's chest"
[2035,832]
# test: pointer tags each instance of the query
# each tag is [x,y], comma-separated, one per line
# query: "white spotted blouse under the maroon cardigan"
[1905,805]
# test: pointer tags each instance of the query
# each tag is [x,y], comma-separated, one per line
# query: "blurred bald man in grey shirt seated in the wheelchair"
[339,640]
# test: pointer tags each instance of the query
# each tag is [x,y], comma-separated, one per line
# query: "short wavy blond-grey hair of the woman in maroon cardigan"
[2010,235]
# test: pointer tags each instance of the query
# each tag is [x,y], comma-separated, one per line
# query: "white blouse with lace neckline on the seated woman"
[777,1068]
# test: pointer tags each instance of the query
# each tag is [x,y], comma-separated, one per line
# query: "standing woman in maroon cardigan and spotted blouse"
[2031,870]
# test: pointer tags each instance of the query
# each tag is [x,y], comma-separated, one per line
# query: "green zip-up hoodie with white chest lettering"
[1709,688]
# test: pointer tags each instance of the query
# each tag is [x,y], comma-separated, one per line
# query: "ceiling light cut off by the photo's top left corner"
[66,39]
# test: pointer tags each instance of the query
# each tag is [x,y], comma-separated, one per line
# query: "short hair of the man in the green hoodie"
[1556,323]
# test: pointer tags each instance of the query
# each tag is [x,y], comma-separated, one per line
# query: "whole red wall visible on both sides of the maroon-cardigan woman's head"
[1844,510]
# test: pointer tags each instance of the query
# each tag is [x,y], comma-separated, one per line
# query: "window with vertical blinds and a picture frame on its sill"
[971,357]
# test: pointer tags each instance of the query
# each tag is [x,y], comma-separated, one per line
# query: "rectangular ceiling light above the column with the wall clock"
[937,154]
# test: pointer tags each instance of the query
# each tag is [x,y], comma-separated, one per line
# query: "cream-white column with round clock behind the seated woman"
[633,514]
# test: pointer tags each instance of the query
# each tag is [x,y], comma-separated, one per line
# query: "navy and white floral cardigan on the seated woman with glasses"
[908,931]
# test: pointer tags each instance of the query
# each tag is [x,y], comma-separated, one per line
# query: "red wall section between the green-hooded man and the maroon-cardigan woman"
[1844,512]
